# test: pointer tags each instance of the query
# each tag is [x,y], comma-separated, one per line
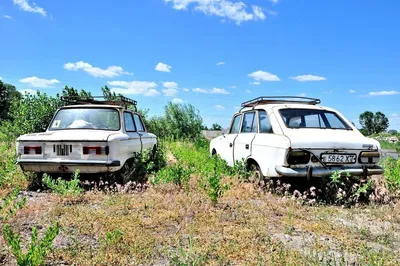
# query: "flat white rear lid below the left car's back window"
[69,135]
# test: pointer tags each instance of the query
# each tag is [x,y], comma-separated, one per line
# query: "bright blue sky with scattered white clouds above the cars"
[212,54]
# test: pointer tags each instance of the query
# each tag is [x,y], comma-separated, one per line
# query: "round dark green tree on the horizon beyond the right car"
[373,123]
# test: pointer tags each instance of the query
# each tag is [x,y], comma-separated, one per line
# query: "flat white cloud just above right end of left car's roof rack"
[146,88]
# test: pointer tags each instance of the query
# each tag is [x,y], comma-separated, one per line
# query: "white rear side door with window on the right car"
[243,141]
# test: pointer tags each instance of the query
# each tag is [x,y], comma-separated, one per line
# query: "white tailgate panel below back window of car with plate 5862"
[329,139]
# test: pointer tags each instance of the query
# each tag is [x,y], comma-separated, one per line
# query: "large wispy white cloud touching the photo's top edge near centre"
[227,10]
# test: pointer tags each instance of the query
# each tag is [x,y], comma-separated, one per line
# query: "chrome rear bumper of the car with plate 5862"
[309,172]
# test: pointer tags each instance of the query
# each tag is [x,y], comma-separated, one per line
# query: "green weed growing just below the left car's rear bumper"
[63,187]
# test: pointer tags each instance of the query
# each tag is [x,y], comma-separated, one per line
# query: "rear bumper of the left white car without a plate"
[68,166]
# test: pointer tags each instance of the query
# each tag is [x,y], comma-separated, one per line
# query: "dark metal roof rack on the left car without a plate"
[116,100]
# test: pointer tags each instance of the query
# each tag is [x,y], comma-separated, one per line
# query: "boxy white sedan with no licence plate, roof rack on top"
[91,135]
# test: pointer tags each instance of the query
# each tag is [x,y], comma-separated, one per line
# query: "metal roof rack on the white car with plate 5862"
[281,99]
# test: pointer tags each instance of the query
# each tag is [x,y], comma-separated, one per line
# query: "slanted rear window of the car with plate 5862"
[312,118]
